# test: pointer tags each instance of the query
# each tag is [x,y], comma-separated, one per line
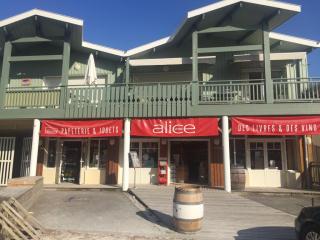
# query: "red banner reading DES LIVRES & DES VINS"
[269,126]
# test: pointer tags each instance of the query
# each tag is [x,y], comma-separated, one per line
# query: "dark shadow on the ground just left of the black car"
[266,233]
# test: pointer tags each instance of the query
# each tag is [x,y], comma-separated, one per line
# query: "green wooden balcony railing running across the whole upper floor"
[165,99]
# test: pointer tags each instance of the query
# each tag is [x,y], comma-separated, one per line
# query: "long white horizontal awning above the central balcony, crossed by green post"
[171,61]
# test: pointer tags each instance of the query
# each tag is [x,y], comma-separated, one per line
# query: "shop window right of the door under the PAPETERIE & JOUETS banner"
[98,153]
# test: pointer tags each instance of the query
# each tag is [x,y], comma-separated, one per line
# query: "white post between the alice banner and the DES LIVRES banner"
[226,153]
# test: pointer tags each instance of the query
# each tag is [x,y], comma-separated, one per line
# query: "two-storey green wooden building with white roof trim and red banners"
[225,61]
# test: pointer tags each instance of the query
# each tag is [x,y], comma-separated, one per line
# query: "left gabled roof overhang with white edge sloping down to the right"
[52,26]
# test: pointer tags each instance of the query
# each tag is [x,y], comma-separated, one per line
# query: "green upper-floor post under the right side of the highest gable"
[267,64]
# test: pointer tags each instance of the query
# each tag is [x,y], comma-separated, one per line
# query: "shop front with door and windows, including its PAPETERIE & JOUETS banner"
[80,152]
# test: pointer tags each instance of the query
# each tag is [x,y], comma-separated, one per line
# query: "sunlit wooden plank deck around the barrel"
[227,216]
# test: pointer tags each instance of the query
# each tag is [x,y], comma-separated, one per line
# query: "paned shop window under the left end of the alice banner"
[147,152]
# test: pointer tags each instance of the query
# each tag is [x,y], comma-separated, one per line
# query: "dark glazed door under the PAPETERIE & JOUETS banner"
[70,167]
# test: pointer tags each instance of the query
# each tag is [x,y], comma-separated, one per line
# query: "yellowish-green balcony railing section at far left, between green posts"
[32,97]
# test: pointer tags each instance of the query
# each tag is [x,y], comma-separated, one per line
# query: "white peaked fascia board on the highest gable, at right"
[225,3]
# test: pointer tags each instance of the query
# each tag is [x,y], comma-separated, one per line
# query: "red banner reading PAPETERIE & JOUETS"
[81,129]
